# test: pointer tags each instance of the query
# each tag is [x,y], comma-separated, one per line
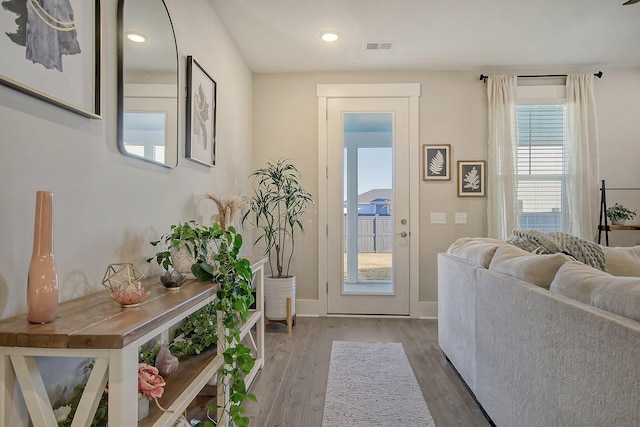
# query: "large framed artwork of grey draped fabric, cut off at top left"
[51,51]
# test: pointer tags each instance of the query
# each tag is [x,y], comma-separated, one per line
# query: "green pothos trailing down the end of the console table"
[233,275]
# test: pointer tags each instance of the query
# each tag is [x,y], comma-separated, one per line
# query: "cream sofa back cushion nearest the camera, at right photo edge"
[616,294]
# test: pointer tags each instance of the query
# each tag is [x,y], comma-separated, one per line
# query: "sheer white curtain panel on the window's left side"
[501,164]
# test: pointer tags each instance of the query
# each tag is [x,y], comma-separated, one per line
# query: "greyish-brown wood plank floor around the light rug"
[290,388]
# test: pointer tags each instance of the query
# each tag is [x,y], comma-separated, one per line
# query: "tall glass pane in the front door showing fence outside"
[368,203]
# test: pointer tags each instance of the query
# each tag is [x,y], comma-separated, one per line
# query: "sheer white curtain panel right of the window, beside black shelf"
[582,156]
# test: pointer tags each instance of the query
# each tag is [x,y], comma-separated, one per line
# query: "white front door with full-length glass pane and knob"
[368,231]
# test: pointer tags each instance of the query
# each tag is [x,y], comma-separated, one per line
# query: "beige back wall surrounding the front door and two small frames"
[452,111]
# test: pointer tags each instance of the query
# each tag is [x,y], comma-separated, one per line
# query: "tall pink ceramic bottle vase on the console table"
[42,283]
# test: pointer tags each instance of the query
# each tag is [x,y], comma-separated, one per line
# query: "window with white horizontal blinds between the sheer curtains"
[541,166]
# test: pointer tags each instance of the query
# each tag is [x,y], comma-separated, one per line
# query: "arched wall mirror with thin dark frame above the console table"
[147,82]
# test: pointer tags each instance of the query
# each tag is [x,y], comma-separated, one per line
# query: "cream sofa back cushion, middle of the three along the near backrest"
[536,269]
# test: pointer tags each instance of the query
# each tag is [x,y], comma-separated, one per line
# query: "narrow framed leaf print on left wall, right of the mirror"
[201,115]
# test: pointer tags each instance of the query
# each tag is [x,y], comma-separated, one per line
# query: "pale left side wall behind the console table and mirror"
[107,207]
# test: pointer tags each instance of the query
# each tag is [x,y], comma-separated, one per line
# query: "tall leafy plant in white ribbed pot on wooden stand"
[276,210]
